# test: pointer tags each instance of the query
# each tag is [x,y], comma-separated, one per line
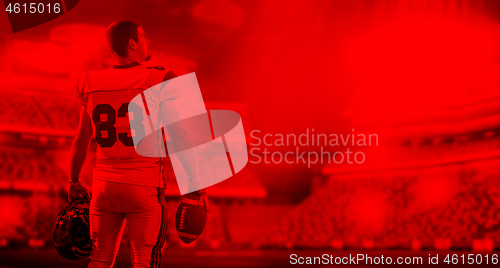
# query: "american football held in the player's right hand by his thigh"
[190,220]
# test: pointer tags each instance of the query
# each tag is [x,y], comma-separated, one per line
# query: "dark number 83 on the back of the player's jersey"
[107,124]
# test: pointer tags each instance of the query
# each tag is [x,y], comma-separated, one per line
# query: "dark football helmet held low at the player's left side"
[72,230]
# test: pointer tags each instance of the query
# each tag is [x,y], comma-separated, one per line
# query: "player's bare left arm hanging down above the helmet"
[79,154]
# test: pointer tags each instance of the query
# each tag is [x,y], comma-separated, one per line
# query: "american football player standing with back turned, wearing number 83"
[127,188]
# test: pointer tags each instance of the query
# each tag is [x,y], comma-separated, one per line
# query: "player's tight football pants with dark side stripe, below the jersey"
[142,208]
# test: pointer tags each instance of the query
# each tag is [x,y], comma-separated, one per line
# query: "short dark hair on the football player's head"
[118,34]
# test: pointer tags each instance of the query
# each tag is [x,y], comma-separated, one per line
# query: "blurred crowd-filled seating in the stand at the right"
[397,211]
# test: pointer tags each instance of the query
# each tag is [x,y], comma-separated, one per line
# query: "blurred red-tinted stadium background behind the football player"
[423,76]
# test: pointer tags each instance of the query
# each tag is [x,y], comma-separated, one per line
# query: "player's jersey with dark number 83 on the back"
[107,95]
